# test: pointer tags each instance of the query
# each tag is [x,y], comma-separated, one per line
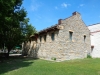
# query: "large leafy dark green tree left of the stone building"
[13,23]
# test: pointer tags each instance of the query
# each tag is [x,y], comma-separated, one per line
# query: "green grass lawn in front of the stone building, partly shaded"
[26,66]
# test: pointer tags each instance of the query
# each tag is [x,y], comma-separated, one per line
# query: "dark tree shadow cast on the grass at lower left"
[14,63]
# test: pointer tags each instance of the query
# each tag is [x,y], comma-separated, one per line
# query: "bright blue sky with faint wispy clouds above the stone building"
[45,13]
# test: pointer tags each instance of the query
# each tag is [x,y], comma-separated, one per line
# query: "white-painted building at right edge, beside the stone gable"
[95,40]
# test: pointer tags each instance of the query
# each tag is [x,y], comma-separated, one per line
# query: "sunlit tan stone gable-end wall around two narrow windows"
[76,48]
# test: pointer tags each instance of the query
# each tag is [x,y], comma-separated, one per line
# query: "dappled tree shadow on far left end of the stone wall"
[30,49]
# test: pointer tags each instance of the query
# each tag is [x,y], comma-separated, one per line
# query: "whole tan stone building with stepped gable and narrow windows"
[69,39]
